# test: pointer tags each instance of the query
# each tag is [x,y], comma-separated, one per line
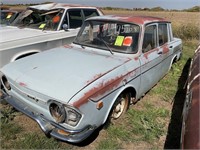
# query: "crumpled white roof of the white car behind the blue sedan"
[58,5]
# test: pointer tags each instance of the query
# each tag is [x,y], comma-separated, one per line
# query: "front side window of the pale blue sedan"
[149,41]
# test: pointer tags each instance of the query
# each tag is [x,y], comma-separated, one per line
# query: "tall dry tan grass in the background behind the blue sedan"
[185,25]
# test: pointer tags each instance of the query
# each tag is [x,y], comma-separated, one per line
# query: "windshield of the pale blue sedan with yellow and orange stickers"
[112,36]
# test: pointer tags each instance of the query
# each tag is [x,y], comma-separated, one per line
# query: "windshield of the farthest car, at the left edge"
[7,16]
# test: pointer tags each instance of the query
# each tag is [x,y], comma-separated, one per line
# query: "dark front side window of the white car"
[75,18]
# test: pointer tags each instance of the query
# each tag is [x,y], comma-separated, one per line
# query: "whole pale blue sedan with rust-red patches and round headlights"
[73,89]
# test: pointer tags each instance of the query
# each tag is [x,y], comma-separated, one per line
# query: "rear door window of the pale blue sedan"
[162,34]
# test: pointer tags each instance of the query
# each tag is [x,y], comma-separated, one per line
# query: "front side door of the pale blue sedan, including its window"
[150,58]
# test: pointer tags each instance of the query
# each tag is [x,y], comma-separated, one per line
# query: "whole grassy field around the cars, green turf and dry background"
[152,123]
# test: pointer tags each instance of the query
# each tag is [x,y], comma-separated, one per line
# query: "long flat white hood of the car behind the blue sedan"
[14,37]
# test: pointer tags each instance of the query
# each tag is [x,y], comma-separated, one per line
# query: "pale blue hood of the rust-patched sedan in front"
[62,72]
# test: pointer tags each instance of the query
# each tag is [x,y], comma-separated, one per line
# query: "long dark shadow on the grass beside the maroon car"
[175,125]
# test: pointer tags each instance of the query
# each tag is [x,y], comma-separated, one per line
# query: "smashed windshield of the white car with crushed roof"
[40,19]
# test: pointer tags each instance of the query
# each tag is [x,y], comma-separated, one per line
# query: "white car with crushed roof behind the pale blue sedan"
[41,27]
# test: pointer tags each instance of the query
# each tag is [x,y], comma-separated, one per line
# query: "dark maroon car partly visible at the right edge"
[190,135]
